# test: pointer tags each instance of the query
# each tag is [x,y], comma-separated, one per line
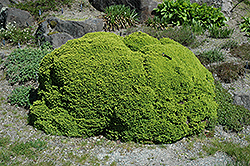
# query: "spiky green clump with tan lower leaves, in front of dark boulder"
[119,17]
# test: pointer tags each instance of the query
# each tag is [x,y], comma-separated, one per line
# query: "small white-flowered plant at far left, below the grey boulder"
[15,35]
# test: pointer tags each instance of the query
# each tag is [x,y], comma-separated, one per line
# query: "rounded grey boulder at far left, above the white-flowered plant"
[15,16]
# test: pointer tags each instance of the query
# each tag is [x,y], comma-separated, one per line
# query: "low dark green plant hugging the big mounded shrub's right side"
[231,116]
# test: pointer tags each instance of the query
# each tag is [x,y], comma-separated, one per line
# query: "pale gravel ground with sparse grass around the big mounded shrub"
[98,150]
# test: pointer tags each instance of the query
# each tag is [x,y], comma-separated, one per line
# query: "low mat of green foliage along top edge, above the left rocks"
[44,5]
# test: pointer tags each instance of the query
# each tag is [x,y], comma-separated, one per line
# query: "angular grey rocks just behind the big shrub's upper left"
[61,31]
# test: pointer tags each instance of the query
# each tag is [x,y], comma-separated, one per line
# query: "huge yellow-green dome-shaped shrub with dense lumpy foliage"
[105,84]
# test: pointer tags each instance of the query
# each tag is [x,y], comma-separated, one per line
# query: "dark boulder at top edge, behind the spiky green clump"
[143,7]
